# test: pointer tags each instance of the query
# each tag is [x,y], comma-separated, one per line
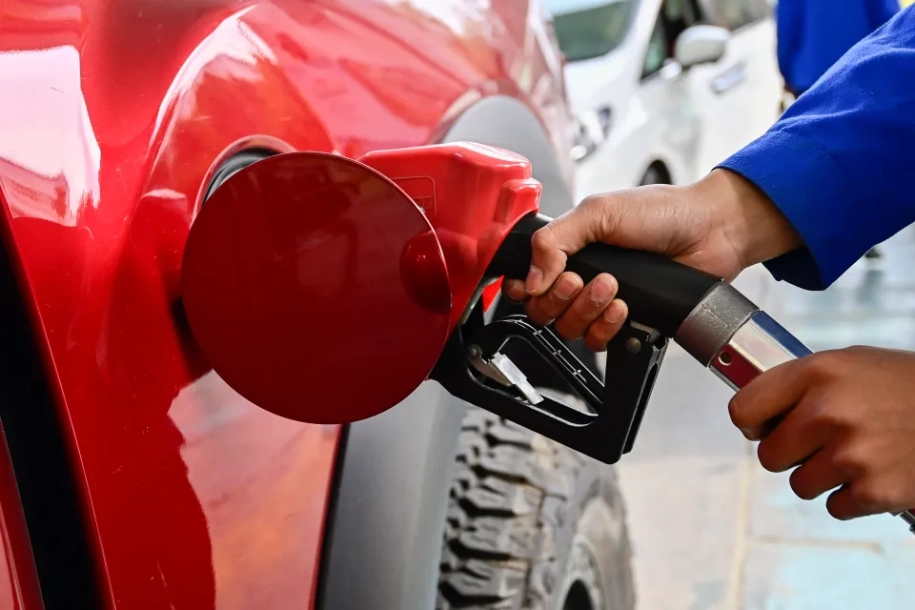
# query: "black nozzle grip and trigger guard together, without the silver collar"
[599,418]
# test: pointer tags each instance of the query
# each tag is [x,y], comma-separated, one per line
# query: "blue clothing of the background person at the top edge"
[814,34]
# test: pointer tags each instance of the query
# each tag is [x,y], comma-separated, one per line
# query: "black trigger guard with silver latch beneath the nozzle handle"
[525,373]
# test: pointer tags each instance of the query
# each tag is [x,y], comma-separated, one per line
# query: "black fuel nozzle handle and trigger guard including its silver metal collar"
[523,372]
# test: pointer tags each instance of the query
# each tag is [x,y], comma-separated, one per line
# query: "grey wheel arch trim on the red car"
[383,540]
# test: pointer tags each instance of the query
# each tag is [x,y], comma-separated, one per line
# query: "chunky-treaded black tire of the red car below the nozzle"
[532,524]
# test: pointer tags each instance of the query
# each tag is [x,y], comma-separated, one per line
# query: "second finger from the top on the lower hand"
[795,438]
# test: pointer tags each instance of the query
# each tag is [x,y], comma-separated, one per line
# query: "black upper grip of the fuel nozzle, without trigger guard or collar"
[660,292]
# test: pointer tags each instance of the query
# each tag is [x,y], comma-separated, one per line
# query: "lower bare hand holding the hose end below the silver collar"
[847,418]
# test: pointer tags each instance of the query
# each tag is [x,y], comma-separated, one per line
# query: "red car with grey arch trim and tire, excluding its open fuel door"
[133,477]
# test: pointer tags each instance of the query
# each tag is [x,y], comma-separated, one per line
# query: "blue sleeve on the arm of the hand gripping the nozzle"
[838,163]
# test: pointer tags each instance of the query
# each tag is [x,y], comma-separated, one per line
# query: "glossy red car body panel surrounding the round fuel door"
[115,114]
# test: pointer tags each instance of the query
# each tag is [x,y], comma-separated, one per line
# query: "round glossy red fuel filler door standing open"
[299,239]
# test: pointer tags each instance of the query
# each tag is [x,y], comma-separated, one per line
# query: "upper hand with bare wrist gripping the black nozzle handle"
[722,224]
